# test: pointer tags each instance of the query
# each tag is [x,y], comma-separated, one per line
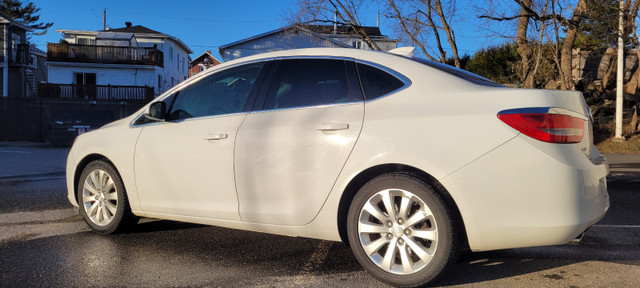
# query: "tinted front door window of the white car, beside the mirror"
[225,92]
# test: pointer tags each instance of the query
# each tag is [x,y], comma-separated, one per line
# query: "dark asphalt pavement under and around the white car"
[45,243]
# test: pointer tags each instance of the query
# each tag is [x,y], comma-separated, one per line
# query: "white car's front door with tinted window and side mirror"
[184,165]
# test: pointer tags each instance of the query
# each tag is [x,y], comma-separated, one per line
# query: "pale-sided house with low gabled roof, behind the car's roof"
[305,36]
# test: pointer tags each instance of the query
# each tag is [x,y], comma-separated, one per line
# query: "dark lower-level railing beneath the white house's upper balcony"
[96,92]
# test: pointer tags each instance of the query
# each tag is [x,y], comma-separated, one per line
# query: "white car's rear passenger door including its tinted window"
[289,155]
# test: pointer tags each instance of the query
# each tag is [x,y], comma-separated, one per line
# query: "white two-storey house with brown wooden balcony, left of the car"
[91,64]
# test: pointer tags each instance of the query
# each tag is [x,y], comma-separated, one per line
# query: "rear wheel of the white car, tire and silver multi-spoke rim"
[402,232]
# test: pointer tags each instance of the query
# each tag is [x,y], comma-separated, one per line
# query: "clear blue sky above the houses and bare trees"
[202,25]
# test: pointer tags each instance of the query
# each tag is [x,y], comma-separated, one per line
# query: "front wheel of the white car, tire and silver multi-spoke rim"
[103,200]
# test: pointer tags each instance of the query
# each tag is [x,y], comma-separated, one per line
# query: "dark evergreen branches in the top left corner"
[25,13]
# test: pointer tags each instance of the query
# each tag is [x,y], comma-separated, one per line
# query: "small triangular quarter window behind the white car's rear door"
[376,82]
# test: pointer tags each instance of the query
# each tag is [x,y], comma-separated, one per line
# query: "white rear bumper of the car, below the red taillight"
[547,195]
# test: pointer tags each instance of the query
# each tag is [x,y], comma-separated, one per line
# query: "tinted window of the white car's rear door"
[312,82]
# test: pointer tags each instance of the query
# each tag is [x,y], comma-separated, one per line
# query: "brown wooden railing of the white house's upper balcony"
[104,54]
